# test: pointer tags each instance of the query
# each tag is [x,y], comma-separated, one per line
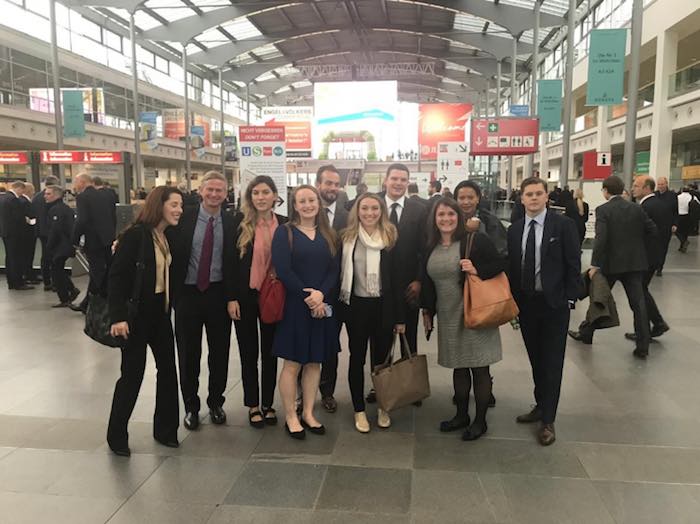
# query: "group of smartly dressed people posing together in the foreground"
[372,267]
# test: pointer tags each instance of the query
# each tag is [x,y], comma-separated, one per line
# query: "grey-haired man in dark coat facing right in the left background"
[59,244]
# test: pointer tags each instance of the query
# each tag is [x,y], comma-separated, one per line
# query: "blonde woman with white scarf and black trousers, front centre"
[370,295]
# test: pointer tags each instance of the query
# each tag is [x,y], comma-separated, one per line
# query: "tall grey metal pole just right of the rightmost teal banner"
[629,160]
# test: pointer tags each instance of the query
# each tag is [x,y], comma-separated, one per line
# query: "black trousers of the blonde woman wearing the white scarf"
[365,324]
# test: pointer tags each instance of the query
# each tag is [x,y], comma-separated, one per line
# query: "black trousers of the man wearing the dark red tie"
[195,310]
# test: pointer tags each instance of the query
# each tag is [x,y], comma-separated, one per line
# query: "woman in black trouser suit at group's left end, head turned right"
[140,269]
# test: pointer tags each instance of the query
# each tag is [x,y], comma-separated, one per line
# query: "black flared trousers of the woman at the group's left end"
[152,328]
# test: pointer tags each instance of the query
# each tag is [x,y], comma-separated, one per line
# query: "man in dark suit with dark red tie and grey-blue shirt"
[202,281]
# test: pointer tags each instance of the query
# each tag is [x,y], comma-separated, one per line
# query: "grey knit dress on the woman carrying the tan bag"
[458,346]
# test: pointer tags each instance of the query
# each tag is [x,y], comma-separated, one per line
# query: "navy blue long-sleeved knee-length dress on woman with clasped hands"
[308,264]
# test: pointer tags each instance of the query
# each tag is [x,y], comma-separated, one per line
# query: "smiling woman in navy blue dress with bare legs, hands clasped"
[306,260]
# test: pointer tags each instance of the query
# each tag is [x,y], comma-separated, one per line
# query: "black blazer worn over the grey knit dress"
[487,261]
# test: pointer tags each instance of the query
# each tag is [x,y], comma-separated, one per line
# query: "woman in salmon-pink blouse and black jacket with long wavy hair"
[255,226]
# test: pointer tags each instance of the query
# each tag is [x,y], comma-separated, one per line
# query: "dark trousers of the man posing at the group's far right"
[544,332]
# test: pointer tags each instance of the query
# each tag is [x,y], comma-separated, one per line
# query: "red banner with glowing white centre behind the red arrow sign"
[440,123]
